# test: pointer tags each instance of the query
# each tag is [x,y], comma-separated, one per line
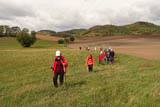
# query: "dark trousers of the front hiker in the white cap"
[56,77]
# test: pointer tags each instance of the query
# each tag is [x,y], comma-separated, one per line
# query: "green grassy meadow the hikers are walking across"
[26,79]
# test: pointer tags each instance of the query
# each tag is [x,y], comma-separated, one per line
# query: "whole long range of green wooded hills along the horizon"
[138,28]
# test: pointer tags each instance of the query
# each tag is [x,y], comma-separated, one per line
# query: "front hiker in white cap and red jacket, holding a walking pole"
[59,68]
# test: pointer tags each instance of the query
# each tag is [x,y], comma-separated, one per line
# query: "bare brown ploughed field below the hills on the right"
[142,46]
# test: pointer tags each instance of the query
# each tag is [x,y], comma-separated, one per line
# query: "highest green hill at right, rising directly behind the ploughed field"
[138,28]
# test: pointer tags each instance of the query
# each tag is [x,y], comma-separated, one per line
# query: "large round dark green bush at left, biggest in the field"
[25,39]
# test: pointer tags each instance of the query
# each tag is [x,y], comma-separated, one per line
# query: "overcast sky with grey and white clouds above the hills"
[60,15]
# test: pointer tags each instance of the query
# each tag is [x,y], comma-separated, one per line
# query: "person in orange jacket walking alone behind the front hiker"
[90,62]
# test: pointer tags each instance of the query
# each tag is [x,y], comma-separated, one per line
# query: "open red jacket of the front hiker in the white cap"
[62,61]
